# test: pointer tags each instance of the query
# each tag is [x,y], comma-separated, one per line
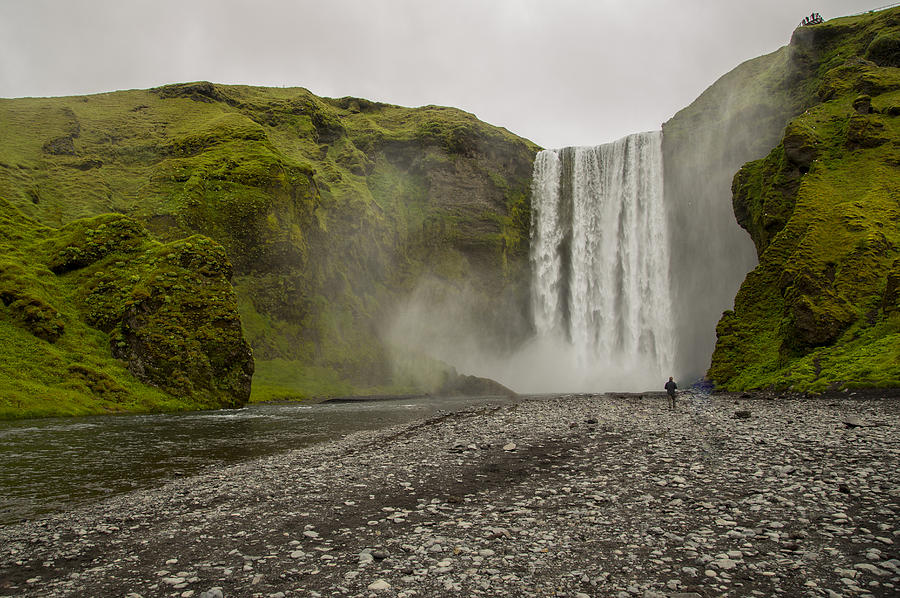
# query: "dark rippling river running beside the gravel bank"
[51,465]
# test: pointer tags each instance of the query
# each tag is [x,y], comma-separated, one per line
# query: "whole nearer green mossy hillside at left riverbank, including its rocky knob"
[96,317]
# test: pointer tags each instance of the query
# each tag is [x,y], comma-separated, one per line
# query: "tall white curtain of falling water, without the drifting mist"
[600,263]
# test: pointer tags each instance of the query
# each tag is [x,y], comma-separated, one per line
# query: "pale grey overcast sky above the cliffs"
[559,72]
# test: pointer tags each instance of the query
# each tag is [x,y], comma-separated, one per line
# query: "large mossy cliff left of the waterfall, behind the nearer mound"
[330,210]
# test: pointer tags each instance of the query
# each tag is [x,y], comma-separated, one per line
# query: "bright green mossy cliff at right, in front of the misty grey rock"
[820,310]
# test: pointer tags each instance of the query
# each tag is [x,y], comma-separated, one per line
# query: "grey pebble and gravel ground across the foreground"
[568,496]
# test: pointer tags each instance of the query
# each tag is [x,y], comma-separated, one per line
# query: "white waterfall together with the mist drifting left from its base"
[600,281]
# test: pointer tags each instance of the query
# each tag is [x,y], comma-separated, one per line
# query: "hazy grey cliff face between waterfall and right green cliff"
[739,118]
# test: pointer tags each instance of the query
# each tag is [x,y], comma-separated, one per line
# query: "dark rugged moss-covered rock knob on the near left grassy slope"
[169,310]
